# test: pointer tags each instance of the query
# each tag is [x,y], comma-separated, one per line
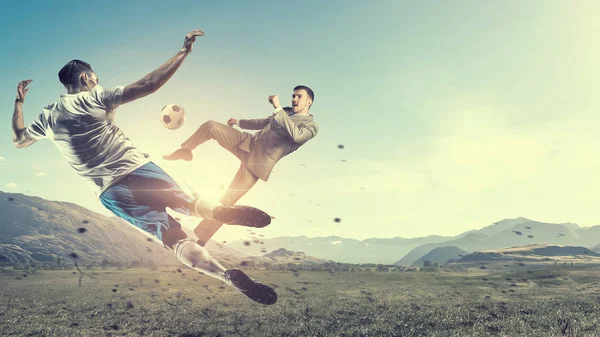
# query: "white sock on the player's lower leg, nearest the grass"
[197,257]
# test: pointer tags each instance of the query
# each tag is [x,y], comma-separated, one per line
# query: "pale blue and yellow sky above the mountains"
[453,115]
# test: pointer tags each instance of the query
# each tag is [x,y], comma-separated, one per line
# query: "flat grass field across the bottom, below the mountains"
[546,301]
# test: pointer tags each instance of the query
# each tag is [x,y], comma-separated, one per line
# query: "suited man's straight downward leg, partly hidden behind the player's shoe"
[242,182]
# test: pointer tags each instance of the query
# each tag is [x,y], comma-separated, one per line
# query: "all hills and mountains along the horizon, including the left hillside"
[40,230]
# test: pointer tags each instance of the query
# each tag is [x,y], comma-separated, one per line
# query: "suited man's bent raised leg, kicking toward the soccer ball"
[226,136]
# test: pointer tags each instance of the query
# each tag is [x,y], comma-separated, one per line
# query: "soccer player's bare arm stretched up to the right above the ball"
[156,79]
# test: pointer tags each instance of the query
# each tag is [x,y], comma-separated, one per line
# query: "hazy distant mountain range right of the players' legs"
[406,252]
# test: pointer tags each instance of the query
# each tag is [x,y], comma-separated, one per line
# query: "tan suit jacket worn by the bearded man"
[279,136]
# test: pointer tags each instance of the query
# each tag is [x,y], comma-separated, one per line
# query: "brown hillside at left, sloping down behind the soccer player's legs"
[35,229]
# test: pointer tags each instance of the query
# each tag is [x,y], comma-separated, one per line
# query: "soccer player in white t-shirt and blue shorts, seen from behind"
[127,182]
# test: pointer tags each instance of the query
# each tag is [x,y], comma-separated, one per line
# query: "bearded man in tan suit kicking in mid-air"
[280,134]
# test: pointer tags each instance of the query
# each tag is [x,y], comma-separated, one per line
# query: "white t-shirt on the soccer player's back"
[81,126]
